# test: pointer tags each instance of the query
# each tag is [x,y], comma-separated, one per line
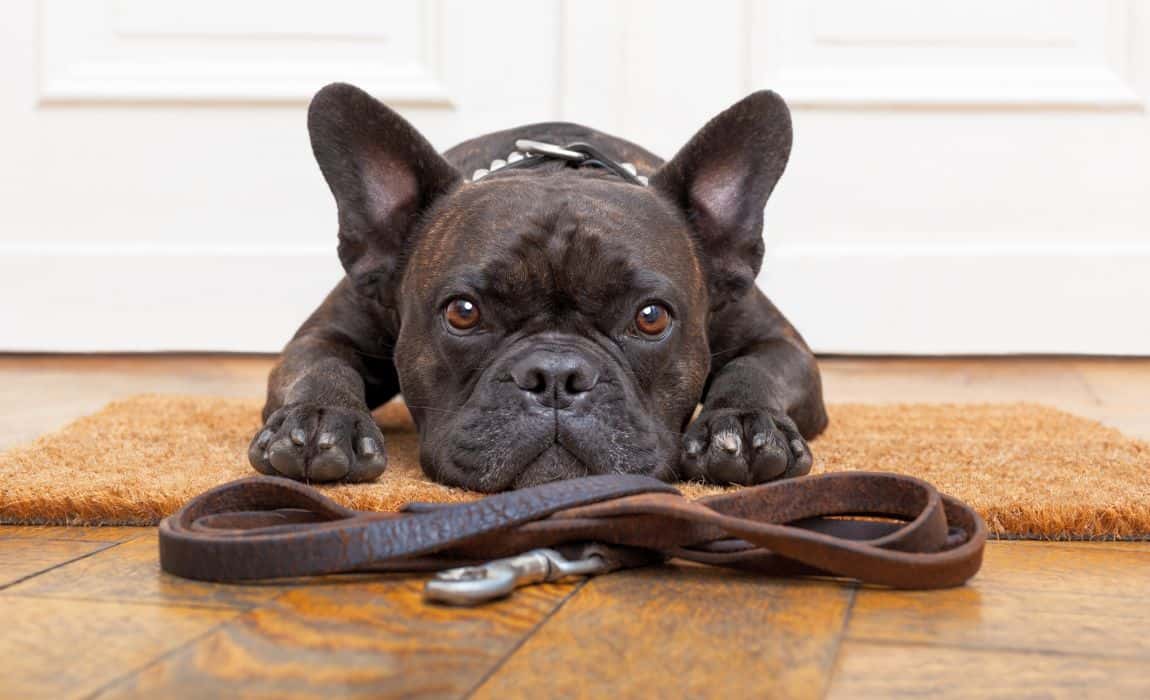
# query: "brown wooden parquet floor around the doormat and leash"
[85,612]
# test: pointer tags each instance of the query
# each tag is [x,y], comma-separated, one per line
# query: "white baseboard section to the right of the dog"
[965,299]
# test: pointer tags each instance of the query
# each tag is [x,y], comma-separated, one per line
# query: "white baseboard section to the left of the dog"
[155,298]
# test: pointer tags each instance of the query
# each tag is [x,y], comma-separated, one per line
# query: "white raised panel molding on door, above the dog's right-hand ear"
[1086,68]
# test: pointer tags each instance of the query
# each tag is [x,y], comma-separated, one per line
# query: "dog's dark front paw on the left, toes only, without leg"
[319,444]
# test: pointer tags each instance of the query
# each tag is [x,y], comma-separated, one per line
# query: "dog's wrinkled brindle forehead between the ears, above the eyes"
[523,237]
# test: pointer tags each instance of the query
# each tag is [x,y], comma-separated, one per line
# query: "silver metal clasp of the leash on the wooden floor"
[472,586]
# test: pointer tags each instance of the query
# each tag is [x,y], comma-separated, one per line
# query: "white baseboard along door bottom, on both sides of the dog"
[861,298]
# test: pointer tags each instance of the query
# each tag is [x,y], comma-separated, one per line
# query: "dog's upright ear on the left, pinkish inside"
[384,175]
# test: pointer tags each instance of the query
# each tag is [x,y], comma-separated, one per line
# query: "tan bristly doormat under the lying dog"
[1031,471]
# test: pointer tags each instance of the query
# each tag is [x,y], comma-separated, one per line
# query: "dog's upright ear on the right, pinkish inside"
[723,180]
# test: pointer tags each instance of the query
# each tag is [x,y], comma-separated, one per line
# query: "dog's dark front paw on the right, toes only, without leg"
[730,447]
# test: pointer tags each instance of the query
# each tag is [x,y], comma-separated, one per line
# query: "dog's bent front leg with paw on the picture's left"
[318,425]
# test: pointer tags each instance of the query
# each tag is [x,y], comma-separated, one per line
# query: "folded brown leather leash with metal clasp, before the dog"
[910,536]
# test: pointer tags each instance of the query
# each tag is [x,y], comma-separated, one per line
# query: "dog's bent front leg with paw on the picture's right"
[763,402]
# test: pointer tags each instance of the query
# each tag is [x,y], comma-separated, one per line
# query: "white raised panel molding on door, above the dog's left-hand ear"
[88,60]
